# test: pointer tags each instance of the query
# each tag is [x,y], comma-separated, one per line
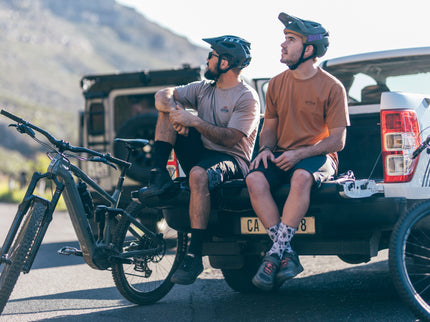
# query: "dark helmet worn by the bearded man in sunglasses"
[238,49]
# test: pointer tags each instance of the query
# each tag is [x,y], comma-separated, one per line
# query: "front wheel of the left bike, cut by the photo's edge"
[19,251]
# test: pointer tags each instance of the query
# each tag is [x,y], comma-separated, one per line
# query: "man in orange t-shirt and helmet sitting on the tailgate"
[305,125]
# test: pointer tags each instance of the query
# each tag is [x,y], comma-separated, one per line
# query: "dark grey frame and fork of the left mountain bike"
[61,172]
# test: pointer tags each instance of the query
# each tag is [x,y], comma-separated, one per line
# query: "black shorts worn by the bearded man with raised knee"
[220,166]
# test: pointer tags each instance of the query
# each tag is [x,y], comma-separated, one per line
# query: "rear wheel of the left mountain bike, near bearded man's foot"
[148,279]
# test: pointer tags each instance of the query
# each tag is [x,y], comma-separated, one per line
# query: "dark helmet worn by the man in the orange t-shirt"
[312,32]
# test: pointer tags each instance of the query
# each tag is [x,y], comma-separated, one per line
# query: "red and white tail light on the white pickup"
[400,136]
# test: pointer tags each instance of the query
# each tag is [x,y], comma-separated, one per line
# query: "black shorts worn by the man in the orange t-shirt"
[321,167]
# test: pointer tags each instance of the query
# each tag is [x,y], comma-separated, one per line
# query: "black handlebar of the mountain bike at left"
[63,145]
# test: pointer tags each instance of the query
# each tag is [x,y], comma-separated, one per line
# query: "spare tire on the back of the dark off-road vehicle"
[138,127]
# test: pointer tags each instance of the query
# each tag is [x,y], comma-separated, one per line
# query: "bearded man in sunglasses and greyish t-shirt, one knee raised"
[213,146]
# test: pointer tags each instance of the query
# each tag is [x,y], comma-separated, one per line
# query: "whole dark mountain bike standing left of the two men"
[141,260]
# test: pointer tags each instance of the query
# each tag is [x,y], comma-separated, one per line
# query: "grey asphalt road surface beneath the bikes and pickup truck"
[63,288]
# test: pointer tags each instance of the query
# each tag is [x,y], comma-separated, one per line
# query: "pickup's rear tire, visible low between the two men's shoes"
[240,280]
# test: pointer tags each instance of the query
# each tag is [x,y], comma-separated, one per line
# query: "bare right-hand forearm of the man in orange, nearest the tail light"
[333,143]
